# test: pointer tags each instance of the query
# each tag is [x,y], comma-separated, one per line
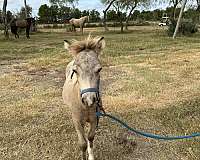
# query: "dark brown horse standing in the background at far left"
[26,23]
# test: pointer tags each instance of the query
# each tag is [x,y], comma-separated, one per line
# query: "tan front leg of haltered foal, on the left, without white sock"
[81,138]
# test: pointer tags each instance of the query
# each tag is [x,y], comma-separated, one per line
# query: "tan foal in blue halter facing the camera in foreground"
[81,89]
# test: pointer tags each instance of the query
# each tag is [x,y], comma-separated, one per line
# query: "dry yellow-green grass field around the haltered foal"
[149,80]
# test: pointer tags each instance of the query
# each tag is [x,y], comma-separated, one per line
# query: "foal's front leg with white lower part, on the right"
[91,134]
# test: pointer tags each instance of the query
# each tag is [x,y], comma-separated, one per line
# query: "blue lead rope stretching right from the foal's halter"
[149,135]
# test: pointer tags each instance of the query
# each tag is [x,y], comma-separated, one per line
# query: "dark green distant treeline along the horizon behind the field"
[55,14]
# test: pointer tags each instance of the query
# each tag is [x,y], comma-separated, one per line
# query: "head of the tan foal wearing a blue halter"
[87,67]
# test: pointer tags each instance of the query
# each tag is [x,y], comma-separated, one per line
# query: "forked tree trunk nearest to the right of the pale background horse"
[108,3]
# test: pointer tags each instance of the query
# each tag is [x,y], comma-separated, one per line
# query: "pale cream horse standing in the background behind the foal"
[79,23]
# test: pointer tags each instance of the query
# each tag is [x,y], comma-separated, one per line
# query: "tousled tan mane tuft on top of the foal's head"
[90,43]
